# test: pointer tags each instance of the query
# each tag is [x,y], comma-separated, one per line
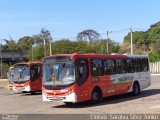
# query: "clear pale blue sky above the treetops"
[66,18]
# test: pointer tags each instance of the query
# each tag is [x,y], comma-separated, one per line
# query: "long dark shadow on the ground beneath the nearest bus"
[112,99]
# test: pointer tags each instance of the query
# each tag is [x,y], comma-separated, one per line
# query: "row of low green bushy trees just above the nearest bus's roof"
[65,46]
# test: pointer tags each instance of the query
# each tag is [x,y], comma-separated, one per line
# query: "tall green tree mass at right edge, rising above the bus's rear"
[147,42]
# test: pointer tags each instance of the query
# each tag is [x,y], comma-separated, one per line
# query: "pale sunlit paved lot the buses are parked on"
[148,102]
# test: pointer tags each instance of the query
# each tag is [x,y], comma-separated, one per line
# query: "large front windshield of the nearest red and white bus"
[58,73]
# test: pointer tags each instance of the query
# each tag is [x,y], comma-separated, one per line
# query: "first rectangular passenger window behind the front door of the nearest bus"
[97,67]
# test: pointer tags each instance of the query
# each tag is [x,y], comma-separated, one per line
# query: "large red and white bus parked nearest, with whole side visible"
[79,77]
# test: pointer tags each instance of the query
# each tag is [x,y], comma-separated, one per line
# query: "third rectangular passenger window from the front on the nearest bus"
[120,66]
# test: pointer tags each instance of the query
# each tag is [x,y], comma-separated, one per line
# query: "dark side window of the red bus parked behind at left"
[35,72]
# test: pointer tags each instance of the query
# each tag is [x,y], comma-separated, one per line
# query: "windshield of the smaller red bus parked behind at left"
[22,73]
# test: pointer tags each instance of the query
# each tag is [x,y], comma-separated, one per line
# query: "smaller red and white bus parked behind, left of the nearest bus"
[28,77]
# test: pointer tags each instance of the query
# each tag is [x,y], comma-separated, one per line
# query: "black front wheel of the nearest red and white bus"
[96,96]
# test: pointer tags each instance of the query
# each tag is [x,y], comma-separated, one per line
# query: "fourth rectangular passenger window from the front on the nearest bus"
[130,65]
